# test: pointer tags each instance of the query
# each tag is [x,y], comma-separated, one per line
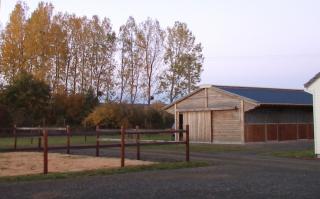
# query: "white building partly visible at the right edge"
[313,87]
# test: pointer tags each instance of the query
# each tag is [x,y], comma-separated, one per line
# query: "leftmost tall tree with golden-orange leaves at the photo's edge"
[12,46]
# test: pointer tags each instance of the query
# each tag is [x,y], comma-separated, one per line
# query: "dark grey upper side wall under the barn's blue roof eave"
[279,115]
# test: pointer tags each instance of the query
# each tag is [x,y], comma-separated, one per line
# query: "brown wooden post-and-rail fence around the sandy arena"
[44,132]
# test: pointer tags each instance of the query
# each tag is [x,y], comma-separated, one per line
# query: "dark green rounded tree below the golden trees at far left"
[27,99]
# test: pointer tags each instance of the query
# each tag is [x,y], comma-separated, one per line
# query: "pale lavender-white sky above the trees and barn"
[264,43]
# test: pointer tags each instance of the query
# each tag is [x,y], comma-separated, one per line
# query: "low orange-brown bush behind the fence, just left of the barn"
[113,115]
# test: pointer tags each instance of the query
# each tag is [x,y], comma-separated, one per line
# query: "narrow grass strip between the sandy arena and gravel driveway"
[101,172]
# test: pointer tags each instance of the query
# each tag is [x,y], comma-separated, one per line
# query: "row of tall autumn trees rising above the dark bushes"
[74,54]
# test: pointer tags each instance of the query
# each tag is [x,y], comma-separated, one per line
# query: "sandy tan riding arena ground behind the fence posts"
[25,163]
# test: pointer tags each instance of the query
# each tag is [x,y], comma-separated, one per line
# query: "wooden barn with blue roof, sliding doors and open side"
[230,114]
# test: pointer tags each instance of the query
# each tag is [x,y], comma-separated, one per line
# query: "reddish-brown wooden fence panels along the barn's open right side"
[278,132]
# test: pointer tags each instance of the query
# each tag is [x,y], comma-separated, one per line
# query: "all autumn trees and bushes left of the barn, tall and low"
[55,68]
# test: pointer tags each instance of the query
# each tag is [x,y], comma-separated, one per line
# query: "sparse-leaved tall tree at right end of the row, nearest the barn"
[183,57]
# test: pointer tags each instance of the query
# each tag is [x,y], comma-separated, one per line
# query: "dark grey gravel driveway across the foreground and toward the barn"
[232,175]
